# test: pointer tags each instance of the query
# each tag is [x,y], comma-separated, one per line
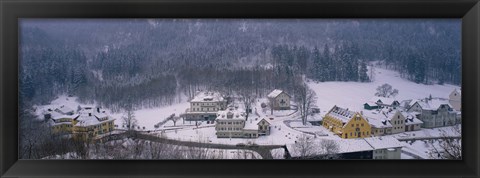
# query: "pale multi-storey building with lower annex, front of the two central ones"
[232,123]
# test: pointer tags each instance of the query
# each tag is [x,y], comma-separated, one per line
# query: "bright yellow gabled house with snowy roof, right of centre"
[346,123]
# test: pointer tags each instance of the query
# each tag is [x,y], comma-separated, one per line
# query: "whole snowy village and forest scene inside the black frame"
[305,99]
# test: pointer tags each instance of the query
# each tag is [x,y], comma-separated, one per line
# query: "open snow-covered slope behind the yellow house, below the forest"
[353,95]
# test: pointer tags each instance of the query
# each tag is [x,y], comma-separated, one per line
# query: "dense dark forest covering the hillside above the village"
[149,63]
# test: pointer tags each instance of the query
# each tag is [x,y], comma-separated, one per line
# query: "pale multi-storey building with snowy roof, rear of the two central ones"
[204,106]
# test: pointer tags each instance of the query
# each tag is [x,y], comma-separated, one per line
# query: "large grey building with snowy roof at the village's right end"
[435,112]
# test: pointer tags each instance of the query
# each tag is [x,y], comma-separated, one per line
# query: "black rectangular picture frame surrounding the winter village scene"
[12,10]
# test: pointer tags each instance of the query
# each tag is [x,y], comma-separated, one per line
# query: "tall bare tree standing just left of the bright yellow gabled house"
[305,99]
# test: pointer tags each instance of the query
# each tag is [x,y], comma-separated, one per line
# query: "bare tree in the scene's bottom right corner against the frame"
[448,147]
